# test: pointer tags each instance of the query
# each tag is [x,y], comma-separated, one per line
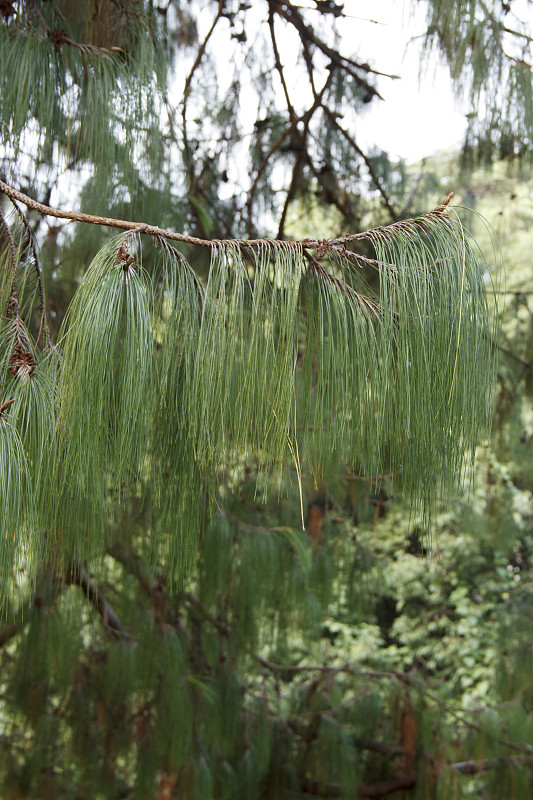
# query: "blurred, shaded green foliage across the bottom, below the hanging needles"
[249,682]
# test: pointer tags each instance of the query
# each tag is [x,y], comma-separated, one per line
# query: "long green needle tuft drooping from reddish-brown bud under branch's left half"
[105,377]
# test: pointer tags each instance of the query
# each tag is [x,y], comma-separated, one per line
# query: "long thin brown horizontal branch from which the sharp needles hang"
[153,230]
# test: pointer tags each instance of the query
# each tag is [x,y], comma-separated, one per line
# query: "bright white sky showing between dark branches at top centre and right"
[416,119]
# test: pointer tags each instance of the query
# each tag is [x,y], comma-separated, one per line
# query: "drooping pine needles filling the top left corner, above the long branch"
[89,85]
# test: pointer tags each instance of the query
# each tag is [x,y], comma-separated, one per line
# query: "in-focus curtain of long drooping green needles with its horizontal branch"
[159,381]
